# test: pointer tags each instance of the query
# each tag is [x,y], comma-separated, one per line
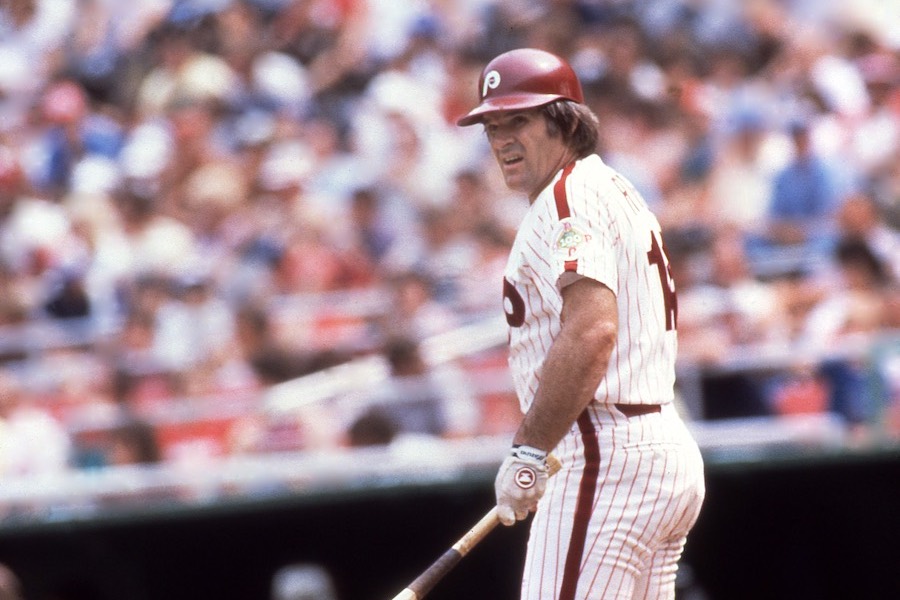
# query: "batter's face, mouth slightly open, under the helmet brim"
[528,155]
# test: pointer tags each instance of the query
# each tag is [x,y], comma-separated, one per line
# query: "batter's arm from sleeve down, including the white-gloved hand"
[574,366]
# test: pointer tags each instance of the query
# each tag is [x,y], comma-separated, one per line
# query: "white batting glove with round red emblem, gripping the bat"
[520,483]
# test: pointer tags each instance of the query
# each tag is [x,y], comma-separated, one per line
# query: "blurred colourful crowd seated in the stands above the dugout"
[215,196]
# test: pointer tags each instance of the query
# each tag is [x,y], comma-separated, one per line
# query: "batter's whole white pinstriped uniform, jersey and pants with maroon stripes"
[613,522]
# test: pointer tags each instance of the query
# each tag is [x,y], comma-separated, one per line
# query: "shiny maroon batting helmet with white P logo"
[523,78]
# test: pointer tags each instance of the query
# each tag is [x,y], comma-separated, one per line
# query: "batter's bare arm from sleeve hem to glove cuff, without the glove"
[575,364]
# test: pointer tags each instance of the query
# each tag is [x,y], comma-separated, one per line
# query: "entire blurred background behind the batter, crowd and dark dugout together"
[251,337]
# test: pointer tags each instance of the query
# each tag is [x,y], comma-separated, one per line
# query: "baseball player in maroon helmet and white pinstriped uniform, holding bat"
[592,318]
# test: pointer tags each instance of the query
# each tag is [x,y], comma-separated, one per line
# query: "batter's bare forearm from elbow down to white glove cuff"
[574,367]
